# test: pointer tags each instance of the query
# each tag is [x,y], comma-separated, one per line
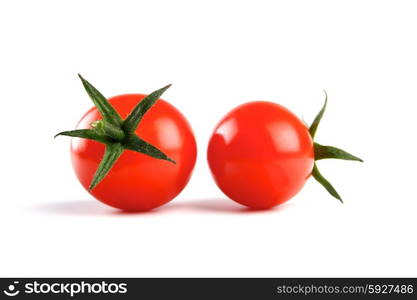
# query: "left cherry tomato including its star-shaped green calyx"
[134,152]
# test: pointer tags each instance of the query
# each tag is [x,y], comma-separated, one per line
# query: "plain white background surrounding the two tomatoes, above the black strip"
[217,54]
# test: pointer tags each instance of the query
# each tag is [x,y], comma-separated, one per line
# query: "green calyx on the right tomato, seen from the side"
[326,152]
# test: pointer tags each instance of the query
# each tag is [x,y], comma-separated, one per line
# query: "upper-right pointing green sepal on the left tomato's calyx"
[135,116]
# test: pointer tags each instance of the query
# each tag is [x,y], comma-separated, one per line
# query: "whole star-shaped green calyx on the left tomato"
[115,133]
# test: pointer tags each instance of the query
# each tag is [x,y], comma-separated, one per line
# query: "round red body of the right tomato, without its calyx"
[260,154]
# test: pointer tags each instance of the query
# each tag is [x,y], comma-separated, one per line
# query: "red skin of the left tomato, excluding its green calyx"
[138,182]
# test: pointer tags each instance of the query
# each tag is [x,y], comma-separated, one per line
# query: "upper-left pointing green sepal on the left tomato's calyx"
[104,107]
